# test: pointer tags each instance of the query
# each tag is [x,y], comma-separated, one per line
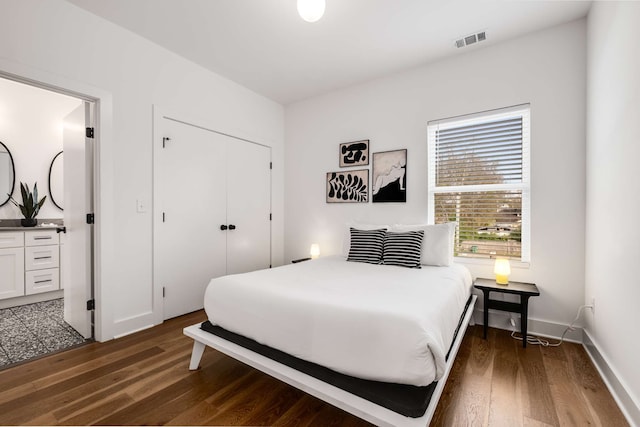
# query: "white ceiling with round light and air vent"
[265,46]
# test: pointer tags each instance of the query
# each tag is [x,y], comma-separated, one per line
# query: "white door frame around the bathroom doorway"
[102,177]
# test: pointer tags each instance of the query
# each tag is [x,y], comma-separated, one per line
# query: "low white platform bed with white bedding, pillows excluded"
[365,338]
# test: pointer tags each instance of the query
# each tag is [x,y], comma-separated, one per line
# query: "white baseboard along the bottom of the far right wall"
[629,407]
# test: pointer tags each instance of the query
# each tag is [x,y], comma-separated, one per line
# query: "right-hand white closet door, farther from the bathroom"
[248,206]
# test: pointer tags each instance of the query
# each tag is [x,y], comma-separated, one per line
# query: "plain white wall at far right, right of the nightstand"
[613,193]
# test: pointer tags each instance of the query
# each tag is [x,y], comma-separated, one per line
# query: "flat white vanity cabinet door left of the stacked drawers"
[11,264]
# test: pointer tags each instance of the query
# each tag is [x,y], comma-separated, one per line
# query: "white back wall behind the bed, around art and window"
[545,69]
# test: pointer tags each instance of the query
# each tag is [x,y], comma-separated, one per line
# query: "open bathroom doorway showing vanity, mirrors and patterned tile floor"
[50,265]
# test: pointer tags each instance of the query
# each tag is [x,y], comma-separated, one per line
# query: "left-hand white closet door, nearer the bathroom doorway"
[189,247]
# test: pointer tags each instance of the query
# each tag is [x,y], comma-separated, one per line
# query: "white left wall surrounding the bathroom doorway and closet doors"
[58,39]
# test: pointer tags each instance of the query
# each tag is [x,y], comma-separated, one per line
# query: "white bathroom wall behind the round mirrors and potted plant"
[31,127]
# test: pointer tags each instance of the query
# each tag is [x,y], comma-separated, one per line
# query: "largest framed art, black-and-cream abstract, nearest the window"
[389,180]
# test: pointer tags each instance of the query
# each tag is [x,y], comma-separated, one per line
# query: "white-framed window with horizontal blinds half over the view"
[479,178]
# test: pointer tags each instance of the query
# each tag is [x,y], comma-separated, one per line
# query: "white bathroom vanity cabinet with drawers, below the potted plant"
[29,262]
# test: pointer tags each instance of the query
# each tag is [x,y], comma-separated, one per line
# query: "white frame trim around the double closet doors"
[159,113]
